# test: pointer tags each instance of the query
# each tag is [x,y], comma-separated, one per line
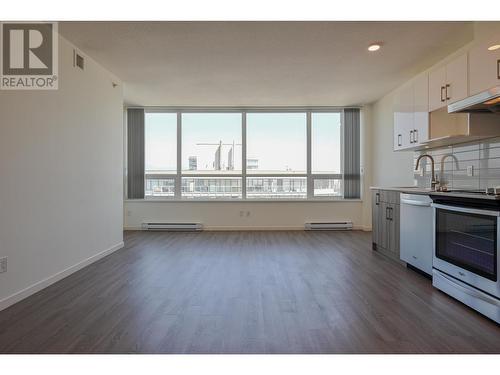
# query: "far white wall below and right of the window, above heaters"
[263,215]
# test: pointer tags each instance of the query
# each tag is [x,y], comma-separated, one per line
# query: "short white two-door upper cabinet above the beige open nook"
[448,83]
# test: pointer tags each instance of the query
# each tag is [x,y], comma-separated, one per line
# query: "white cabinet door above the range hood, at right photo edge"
[484,66]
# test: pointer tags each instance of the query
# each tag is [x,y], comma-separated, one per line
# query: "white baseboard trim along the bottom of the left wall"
[32,289]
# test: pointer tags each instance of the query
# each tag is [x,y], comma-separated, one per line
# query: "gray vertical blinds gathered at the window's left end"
[135,152]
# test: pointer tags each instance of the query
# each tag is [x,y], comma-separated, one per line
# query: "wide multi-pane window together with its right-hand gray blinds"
[252,154]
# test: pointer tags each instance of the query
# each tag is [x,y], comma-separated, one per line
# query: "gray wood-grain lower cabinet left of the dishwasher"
[385,222]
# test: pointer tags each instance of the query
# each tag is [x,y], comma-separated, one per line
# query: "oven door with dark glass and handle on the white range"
[466,245]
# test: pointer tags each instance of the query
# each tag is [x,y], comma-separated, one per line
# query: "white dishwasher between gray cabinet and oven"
[416,231]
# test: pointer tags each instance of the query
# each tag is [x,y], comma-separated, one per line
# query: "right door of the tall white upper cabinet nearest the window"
[421,108]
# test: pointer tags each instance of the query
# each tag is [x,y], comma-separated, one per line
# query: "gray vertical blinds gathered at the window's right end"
[352,177]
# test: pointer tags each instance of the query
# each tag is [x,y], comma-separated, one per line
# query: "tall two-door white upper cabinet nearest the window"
[411,114]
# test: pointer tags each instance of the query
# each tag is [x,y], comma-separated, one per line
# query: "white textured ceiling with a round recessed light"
[263,63]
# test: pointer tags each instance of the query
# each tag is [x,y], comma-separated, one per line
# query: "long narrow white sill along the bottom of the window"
[319,200]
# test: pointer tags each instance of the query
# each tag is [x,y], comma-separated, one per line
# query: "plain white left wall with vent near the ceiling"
[61,191]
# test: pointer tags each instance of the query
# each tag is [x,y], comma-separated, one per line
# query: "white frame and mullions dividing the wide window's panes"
[310,177]
